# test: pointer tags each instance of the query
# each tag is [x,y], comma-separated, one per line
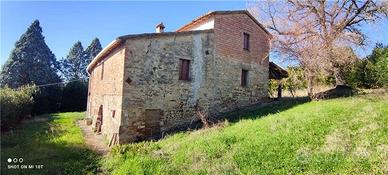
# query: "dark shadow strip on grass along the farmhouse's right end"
[261,110]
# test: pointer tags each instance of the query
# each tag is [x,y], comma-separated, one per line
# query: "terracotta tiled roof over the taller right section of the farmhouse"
[212,13]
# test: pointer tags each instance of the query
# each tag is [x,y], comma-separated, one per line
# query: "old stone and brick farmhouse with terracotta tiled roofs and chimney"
[144,85]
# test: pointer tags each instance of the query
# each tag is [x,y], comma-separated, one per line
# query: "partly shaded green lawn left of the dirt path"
[57,144]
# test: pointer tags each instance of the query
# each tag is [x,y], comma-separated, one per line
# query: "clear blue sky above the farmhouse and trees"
[65,23]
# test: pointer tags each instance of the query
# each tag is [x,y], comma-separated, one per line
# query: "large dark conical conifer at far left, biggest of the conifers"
[31,61]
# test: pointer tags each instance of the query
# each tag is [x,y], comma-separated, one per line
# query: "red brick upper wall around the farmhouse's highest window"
[228,31]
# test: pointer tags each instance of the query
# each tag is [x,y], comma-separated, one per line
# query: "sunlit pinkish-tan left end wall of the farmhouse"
[107,91]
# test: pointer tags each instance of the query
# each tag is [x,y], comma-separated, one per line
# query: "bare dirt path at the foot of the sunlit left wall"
[92,140]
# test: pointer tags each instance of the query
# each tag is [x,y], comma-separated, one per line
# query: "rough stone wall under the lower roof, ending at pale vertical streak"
[152,74]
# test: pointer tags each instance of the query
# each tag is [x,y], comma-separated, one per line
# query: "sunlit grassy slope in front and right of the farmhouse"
[339,136]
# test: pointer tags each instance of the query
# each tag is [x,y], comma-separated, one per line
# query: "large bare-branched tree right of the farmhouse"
[315,32]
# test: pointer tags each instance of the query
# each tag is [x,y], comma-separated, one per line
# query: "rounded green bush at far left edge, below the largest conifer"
[15,105]
